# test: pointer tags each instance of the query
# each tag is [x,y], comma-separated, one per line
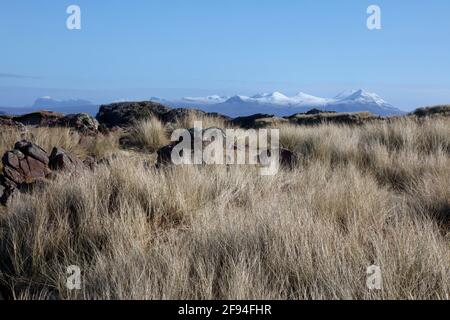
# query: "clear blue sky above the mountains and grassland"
[141,48]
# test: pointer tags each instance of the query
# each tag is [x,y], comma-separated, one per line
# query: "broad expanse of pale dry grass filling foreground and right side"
[360,195]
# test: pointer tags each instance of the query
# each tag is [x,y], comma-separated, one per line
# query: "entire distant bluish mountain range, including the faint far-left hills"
[271,103]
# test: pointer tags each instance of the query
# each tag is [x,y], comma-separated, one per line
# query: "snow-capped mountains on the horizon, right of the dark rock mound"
[281,105]
